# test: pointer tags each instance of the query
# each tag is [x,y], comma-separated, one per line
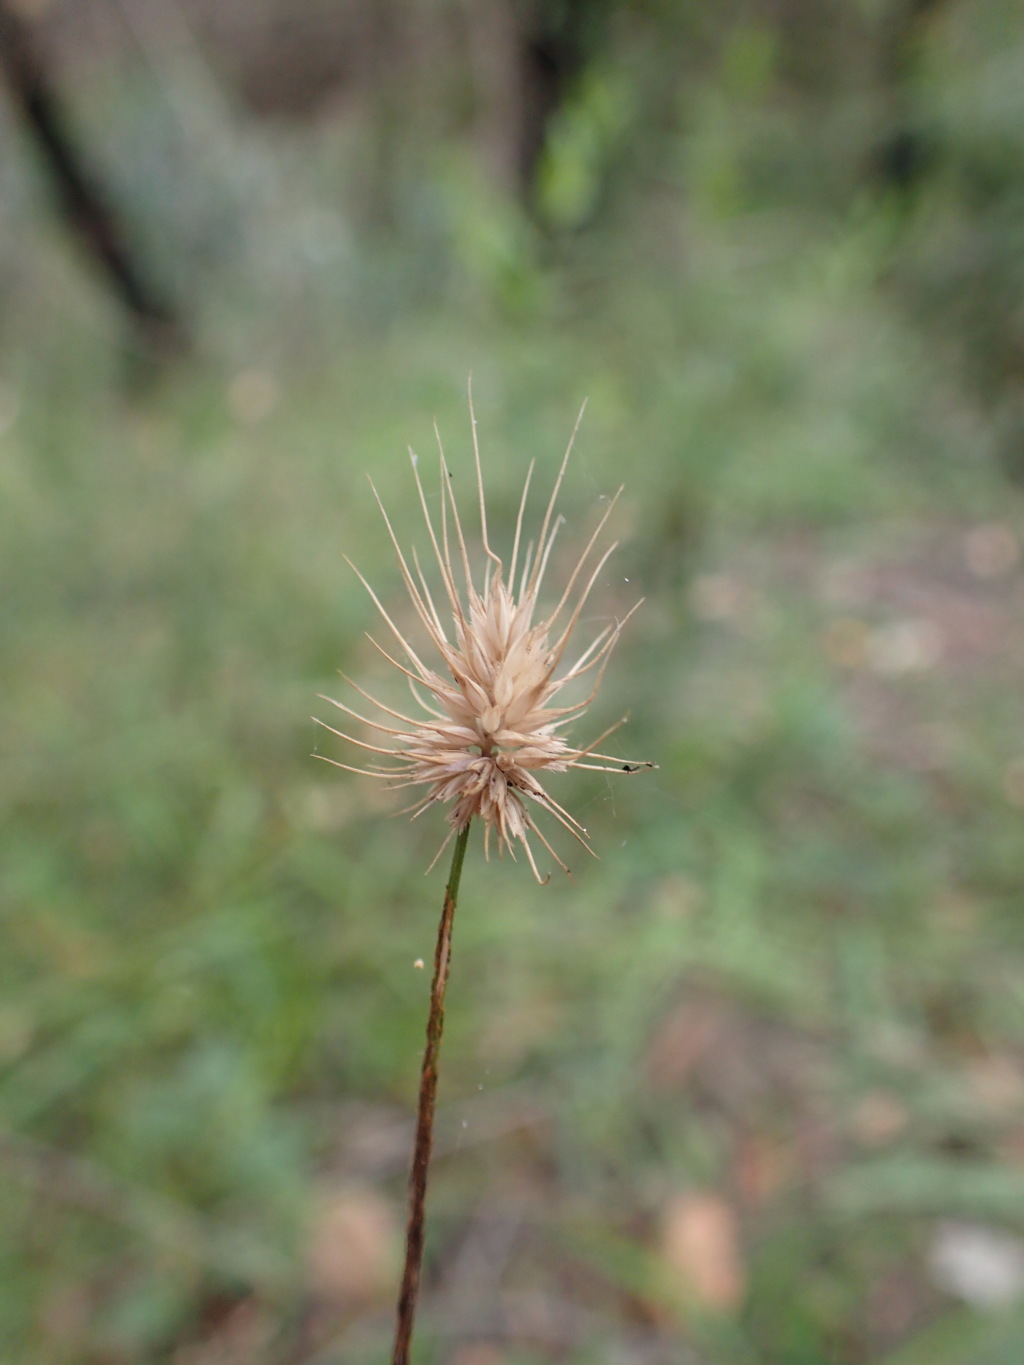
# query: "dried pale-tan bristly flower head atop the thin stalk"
[489,727]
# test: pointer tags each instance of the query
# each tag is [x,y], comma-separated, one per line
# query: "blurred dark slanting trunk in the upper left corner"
[87,210]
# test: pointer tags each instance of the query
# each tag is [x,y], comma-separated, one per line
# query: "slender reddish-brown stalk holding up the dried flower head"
[425,1113]
